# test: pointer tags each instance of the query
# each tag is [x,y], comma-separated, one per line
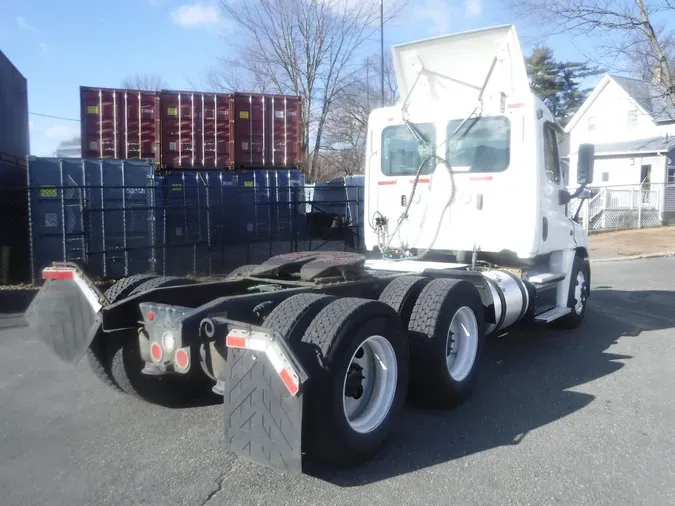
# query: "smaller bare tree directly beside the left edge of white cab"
[346,128]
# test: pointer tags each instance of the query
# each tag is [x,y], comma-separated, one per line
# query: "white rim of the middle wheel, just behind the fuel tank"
[462,343]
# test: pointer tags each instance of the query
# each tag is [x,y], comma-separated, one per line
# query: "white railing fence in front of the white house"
[625,207]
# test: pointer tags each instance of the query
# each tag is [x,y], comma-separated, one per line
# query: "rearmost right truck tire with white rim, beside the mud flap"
[356,353]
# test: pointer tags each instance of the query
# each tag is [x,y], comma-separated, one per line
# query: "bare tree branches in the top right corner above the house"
[632,32]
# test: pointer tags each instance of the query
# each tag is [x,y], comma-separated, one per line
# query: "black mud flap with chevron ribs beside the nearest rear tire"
[263,421]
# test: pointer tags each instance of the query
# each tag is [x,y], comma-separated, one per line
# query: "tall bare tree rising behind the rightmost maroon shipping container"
[308,48]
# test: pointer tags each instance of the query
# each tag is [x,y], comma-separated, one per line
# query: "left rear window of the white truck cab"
[402,154]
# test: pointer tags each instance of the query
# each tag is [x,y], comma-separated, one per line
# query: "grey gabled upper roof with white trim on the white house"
[647,97]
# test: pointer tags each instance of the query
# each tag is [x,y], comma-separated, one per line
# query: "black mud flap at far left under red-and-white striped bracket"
[62,317]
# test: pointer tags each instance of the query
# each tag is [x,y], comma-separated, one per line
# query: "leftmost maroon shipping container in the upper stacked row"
[119,123]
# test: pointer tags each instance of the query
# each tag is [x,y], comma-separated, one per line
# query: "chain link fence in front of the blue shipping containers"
[181,226]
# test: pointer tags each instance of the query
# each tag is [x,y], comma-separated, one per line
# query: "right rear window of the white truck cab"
[481,145]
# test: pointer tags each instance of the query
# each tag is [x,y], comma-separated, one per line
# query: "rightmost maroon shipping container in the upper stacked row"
[268,131]
